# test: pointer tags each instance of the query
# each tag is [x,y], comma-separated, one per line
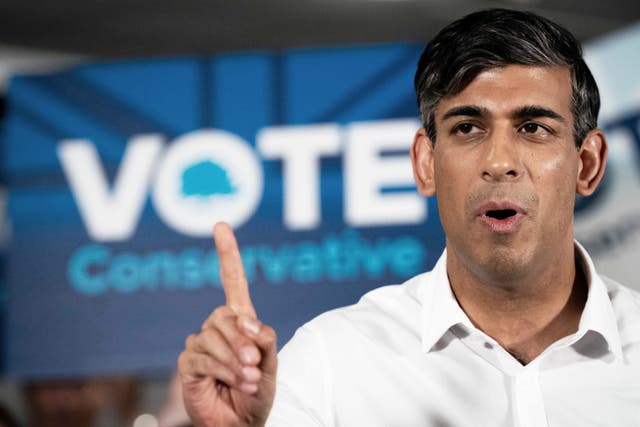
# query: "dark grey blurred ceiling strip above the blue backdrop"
[133,28]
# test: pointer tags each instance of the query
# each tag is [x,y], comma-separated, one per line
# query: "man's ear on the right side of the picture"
[592,161]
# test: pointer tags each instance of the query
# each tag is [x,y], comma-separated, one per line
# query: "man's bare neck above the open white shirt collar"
[528,314]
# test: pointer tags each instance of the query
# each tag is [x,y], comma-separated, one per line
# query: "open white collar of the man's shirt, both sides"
[441,311]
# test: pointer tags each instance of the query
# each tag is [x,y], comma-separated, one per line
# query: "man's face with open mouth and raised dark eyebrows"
[505,170]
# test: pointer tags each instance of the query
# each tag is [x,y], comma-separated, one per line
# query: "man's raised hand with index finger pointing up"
[228,369]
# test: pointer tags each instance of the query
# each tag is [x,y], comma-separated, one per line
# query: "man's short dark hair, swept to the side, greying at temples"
[496,38]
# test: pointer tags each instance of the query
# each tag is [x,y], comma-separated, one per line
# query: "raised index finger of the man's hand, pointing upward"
[234,281]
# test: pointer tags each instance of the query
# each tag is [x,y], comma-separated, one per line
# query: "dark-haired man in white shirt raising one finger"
[513,326]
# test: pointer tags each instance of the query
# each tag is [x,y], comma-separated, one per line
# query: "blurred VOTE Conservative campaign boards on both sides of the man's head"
[118,171]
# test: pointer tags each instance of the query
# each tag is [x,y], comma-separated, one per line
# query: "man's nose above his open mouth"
[501,158]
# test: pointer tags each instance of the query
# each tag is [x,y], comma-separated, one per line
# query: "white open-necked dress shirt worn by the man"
[407,355]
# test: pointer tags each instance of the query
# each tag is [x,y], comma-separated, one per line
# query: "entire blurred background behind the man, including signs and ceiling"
[129,128]
